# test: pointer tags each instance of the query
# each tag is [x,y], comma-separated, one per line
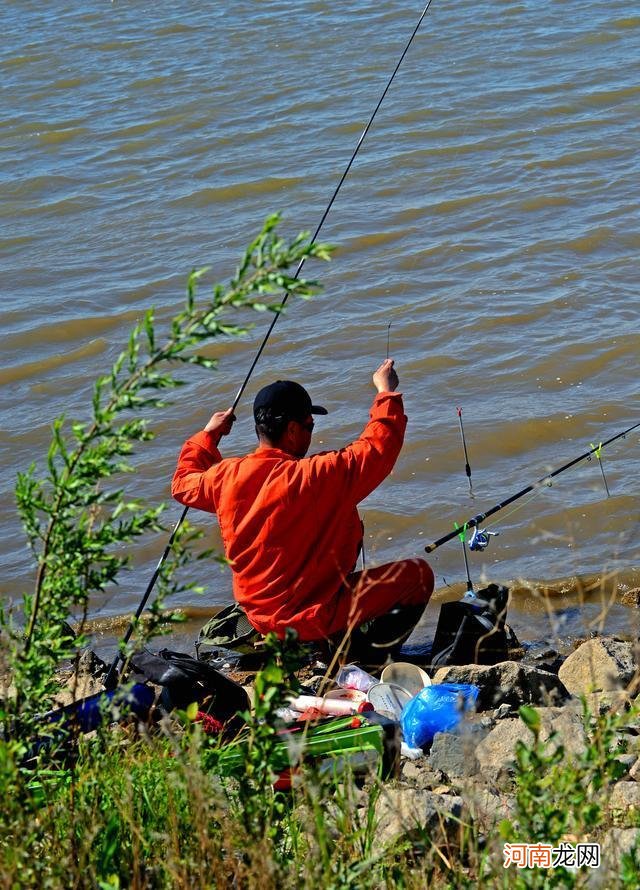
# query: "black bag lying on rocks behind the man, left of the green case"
[187,680]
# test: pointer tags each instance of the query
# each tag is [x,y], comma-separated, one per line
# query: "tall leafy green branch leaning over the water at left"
[79,522]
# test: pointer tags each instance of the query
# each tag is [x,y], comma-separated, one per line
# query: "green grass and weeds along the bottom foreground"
[140,807]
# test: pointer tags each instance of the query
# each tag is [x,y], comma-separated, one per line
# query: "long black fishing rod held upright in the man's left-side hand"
[112,675]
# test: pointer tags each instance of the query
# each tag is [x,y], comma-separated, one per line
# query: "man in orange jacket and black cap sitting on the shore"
[290,525]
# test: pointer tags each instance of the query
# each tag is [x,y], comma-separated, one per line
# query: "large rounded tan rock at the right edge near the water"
[599,665]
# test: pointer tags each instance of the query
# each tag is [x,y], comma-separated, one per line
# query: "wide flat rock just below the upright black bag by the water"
[508,682]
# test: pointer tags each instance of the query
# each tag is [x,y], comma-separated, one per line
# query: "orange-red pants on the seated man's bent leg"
[374,592]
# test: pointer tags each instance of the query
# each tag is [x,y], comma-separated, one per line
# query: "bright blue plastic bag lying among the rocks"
[437,708]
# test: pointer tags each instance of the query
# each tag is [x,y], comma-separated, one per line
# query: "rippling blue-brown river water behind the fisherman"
[491,219]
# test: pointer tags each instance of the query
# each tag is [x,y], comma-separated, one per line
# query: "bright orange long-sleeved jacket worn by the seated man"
[289,525]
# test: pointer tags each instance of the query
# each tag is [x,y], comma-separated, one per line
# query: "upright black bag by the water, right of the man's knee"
[473,630]
